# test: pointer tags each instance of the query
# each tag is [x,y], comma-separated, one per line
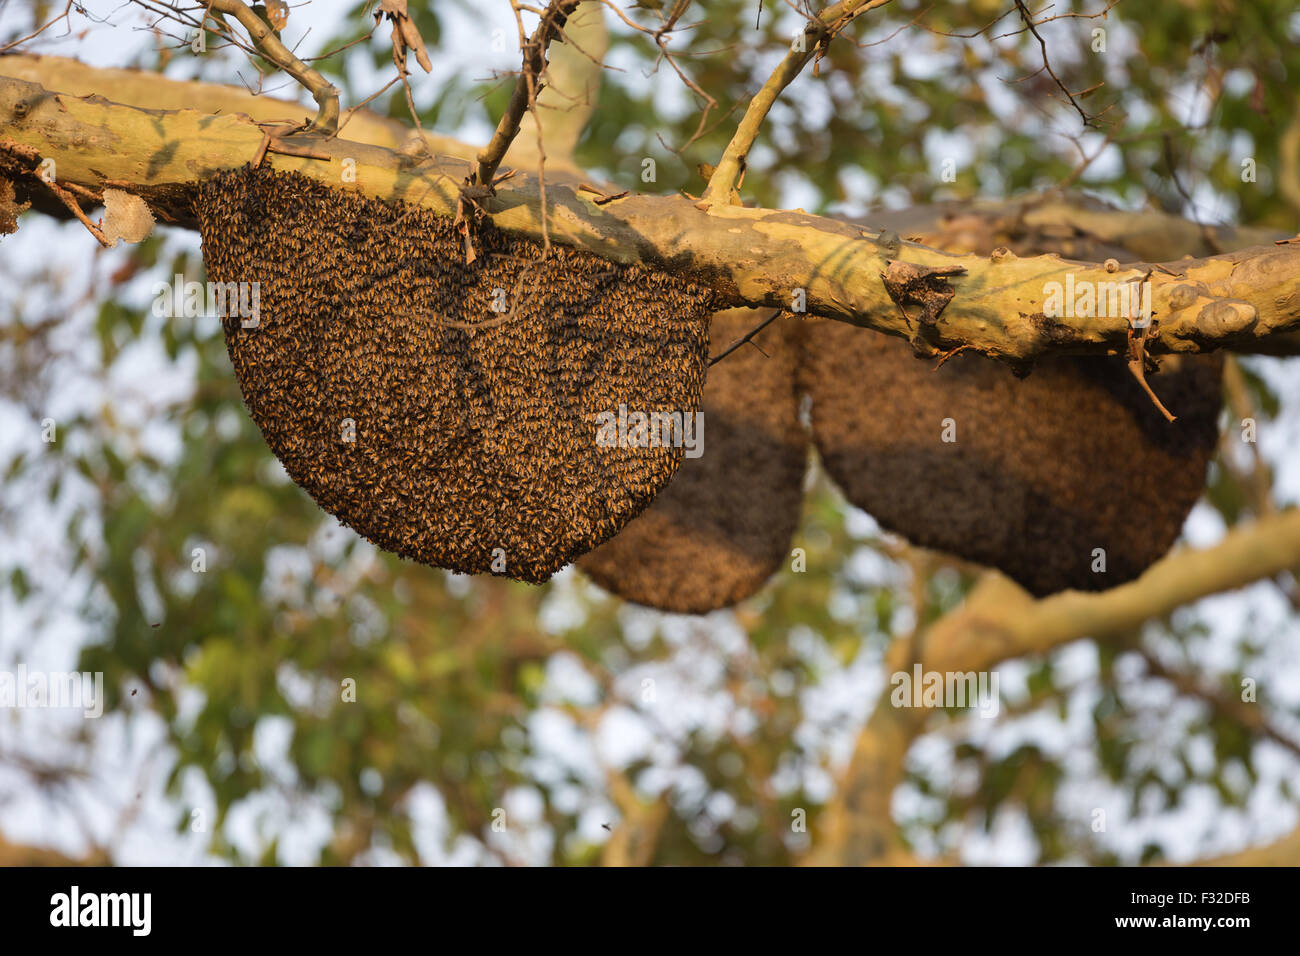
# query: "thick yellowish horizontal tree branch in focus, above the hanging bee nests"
[753,258]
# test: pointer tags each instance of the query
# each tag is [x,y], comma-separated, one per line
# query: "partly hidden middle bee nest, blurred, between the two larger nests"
[723,526]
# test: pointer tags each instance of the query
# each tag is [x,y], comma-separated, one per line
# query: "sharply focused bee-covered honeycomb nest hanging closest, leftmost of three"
[474,432]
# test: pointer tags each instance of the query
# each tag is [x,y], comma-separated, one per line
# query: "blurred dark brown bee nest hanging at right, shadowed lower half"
[1045,470]
